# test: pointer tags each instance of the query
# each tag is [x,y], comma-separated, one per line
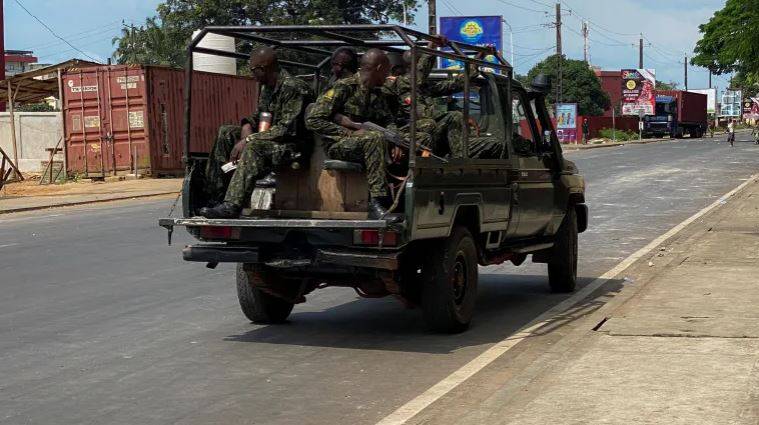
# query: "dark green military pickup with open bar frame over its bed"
[458,214]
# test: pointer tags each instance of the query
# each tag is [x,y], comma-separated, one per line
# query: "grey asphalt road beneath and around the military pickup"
[101,322]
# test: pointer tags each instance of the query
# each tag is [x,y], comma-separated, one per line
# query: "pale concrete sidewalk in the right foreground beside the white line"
[674,342]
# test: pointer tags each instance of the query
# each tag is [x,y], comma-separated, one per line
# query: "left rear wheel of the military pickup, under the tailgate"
[257,305]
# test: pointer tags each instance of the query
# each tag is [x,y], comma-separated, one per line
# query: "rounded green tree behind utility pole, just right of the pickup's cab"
[579,84]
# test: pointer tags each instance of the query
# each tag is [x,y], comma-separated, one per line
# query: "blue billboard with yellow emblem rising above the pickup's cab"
[476,30]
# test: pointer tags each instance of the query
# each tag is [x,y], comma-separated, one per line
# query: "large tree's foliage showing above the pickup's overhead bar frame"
[162,39]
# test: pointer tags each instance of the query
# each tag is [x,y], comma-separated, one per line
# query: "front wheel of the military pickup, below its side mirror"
[562,266]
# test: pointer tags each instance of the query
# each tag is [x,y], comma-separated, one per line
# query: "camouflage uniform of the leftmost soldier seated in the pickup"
[265,151]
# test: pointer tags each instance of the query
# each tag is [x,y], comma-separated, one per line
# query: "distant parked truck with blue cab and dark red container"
[676,114]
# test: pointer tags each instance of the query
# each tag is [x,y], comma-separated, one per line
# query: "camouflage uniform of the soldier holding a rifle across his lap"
[359,104]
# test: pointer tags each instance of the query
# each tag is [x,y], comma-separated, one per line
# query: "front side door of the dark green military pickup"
[533,183]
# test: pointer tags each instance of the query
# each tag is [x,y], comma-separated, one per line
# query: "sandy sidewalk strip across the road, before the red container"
[26,196]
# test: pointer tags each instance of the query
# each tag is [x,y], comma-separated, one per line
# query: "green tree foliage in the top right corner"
[730,40]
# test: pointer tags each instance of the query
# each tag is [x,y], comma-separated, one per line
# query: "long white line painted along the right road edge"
[406,412]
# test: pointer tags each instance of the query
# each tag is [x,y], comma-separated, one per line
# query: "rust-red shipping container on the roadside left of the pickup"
[123,118]
